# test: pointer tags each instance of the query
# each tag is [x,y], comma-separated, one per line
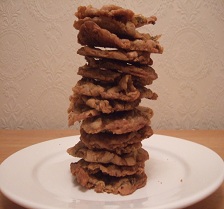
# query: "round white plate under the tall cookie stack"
[180,173]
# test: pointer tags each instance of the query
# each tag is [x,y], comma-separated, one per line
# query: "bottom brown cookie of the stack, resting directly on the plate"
[104,183]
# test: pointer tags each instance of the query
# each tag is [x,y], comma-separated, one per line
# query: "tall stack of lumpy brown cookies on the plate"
[106,99]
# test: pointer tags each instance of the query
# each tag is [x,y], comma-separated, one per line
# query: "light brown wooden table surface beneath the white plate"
[14,140]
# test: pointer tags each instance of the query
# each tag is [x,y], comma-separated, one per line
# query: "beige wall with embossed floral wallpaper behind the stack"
[38,62]
